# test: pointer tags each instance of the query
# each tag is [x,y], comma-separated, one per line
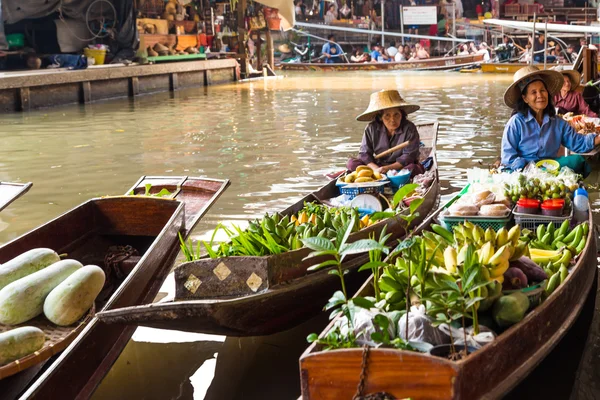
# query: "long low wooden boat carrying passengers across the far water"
[430,64]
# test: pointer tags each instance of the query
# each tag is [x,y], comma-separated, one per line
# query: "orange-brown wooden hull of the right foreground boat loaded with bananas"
[489,373]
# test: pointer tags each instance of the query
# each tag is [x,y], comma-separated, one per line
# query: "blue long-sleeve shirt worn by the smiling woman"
[524,140]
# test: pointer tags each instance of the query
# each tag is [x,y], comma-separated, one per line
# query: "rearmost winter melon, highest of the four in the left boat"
[25,264]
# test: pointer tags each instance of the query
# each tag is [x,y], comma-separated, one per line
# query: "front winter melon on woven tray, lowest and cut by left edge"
[20,342]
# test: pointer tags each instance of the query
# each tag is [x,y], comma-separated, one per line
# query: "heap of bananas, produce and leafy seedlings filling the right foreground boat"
[446,279]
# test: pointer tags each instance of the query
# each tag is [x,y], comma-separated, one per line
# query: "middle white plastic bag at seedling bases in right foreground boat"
[420,328]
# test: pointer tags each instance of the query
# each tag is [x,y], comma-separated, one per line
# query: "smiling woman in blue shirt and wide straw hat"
[534,132]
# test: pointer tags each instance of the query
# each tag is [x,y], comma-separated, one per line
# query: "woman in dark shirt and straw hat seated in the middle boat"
[388,127]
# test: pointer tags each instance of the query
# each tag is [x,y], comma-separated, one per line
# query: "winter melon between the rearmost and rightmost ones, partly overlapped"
[23,300]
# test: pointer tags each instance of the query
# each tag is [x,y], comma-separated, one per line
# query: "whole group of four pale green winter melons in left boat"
[38,282]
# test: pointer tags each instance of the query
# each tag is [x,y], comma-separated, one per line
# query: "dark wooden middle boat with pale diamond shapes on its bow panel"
[285,296]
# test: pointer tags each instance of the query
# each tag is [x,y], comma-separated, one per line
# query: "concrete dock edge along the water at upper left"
[30,90]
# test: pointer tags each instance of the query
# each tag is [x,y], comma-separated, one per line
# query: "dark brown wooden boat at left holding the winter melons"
[148,224]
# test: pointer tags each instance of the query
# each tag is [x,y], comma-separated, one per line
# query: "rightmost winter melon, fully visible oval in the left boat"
[70,300]
